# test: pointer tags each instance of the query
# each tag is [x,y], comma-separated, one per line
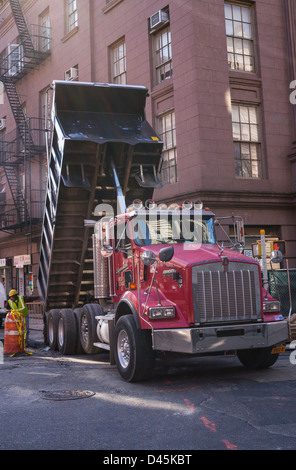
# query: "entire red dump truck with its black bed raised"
[119,272]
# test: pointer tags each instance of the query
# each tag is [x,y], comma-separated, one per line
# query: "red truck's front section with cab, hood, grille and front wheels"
[179,291]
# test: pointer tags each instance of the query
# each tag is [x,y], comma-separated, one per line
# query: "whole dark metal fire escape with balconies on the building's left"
[28,139]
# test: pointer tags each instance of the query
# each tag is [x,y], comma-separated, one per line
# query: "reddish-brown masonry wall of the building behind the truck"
[200,92]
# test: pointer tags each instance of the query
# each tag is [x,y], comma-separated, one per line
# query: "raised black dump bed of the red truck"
[99,131]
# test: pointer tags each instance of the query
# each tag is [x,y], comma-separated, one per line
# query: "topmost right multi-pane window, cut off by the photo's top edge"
[240,37]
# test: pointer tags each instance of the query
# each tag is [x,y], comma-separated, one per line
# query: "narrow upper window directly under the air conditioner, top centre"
[163,55]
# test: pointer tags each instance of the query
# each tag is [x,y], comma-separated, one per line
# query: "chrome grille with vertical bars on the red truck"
[220,296]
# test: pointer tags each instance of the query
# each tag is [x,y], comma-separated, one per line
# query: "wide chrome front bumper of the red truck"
[205,340]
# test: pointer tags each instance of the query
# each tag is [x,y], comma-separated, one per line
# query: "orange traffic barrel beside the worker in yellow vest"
[14,333]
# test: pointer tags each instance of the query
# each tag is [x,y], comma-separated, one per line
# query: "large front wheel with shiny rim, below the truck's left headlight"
[133,350]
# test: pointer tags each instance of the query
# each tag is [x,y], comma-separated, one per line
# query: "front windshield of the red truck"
[159,229]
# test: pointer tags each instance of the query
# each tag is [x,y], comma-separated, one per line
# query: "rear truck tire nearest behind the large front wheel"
[88,328]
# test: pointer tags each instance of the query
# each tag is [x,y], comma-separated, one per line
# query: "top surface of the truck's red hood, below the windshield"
[190,254]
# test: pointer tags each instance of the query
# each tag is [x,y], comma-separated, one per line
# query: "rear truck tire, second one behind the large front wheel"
[67,332]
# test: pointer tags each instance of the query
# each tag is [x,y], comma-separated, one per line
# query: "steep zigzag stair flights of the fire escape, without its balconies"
[31,58]
